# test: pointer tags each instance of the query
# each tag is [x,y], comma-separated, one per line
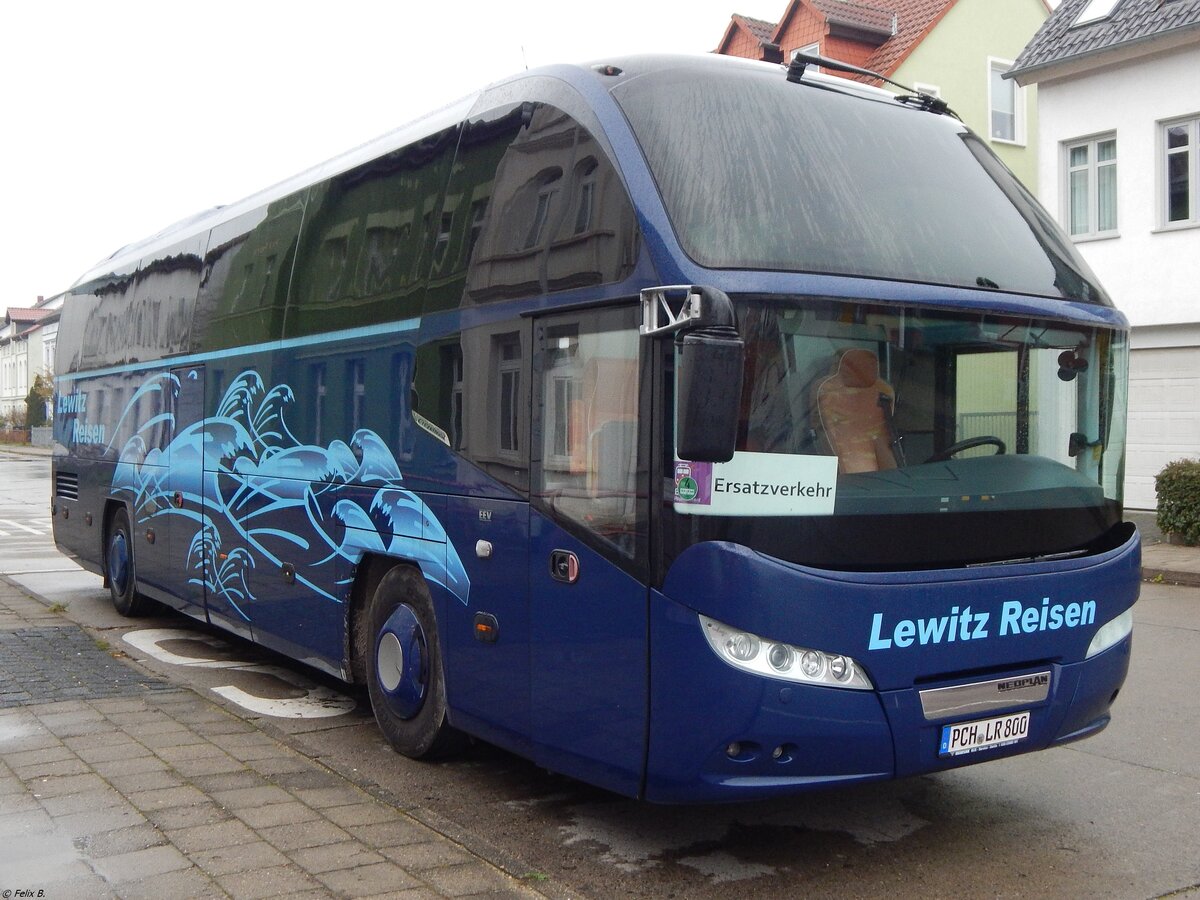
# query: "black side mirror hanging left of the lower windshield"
[709,395]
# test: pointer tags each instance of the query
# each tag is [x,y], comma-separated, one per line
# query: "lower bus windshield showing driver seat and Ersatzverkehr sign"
[946,437]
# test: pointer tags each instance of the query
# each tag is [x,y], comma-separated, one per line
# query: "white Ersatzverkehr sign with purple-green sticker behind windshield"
[758,485]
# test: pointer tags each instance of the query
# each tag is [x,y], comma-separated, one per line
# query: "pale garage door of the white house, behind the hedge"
[1165,417]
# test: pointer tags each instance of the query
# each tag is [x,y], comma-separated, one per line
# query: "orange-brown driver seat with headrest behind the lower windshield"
[854,406]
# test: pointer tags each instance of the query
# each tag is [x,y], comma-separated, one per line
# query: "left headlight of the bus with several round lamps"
[776,659]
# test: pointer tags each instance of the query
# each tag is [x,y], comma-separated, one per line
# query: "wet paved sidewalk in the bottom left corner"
[117,784]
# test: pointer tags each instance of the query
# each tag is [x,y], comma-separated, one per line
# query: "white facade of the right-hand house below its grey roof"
[1154,275]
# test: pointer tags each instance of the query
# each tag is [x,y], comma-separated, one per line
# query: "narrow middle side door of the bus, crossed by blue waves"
[185,494]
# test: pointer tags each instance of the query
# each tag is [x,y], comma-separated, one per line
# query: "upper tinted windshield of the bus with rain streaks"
[838,185]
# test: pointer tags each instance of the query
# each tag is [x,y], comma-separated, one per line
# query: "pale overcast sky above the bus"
[125,117]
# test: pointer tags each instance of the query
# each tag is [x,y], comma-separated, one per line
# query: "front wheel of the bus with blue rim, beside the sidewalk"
[405,675]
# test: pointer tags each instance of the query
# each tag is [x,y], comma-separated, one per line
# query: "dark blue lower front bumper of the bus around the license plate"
[721,735]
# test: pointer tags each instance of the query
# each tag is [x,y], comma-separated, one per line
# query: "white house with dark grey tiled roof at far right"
[1119,164]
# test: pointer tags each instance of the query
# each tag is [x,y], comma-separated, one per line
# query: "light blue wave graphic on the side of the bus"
[269,500]
